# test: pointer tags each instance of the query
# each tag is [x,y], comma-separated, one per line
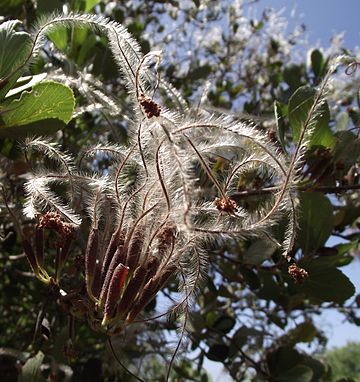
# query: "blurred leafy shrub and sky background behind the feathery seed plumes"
[249,315]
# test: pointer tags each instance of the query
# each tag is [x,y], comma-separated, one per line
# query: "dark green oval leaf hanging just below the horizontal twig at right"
[316,220]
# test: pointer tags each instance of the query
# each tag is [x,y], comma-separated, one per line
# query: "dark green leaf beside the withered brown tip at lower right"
[326,282]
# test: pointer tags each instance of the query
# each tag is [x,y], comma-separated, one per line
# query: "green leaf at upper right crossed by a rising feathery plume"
[300,104]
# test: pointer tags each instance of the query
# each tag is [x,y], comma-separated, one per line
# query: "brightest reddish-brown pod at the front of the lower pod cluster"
[114,292]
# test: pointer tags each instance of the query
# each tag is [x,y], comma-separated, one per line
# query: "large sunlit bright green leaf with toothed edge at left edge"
[46,100]
